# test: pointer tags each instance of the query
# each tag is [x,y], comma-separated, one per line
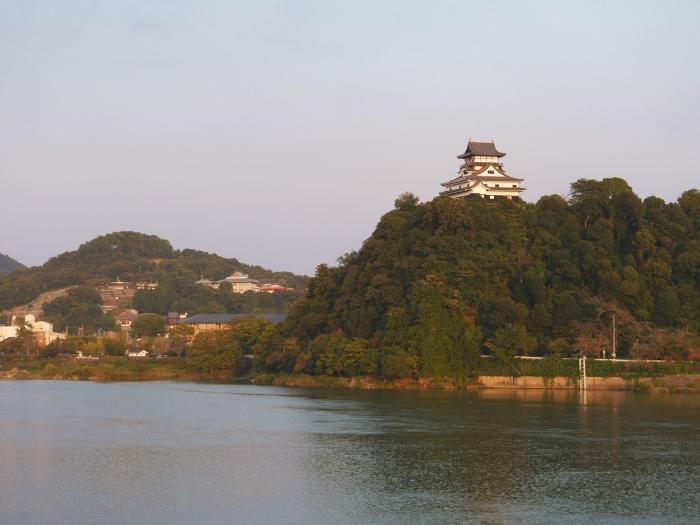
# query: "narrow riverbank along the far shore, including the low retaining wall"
[174,369]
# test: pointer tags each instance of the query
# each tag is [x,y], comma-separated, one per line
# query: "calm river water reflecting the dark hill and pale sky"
[183,453]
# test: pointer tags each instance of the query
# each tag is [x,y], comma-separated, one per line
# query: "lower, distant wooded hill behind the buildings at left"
[132,256]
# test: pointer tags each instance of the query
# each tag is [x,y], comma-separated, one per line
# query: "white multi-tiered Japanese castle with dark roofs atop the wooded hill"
[482,175]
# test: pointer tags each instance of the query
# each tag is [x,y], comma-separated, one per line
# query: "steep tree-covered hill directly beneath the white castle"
[439,283]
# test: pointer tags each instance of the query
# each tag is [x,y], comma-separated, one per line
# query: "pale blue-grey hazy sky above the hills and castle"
[278,132]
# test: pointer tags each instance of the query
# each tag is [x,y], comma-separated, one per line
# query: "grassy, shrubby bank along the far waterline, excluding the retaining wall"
[655,377]
